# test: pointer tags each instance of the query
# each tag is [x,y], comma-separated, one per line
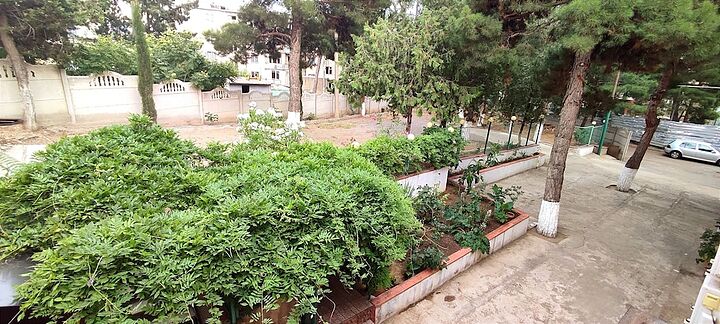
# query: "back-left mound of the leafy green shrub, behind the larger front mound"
[137,168]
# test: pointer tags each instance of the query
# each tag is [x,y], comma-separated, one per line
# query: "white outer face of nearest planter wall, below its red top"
[426,286]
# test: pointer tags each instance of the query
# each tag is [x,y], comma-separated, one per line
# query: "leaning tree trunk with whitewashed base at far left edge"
[21,74]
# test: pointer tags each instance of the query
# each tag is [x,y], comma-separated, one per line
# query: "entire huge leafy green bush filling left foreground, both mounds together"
[160,225]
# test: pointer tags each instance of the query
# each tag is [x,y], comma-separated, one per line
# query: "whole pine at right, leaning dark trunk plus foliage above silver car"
[675,36]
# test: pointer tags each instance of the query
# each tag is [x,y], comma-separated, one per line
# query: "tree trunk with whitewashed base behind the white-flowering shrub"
[296,30]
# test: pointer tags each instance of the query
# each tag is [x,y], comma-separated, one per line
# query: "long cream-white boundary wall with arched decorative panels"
[110,97]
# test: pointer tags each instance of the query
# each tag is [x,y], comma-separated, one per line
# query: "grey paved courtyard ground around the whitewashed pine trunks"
[618,258]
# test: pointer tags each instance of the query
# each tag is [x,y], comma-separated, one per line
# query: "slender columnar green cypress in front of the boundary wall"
[145,77]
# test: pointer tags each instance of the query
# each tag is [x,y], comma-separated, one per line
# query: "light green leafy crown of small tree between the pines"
[426,64]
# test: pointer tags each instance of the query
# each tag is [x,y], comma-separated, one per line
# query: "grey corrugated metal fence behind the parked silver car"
[669,131]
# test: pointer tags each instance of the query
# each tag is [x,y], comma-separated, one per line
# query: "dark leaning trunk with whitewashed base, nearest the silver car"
[651,123]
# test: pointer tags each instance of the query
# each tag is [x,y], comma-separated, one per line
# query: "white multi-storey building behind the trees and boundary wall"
[213,14]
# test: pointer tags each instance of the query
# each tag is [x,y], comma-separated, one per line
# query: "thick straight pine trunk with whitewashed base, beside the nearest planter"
[550,207]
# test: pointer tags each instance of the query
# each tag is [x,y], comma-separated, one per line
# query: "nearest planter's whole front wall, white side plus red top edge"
[414,289]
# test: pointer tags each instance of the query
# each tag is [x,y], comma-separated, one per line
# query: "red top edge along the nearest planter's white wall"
[414,280]
